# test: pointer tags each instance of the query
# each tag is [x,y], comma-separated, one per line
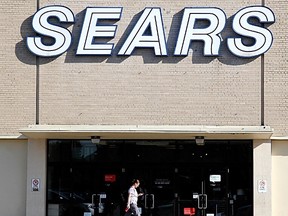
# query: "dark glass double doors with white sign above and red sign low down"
[202,191]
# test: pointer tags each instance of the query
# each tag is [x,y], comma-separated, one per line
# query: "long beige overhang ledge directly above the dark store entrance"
[146,132]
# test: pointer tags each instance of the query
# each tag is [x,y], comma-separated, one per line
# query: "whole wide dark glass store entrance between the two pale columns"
[178,178]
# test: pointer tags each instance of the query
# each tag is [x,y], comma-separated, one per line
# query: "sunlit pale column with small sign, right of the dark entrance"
[262,171]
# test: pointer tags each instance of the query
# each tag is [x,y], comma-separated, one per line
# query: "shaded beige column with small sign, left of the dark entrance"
[36,168]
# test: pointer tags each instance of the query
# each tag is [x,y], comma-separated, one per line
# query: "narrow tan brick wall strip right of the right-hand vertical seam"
[276,71]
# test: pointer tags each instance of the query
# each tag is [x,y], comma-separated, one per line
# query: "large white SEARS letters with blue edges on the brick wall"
[151,19]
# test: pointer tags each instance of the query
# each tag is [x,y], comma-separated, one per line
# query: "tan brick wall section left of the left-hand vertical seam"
[17,67]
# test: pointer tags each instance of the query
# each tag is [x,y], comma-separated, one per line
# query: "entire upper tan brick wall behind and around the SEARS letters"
[144,89]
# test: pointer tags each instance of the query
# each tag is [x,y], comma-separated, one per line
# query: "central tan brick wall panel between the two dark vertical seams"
[194,90]
